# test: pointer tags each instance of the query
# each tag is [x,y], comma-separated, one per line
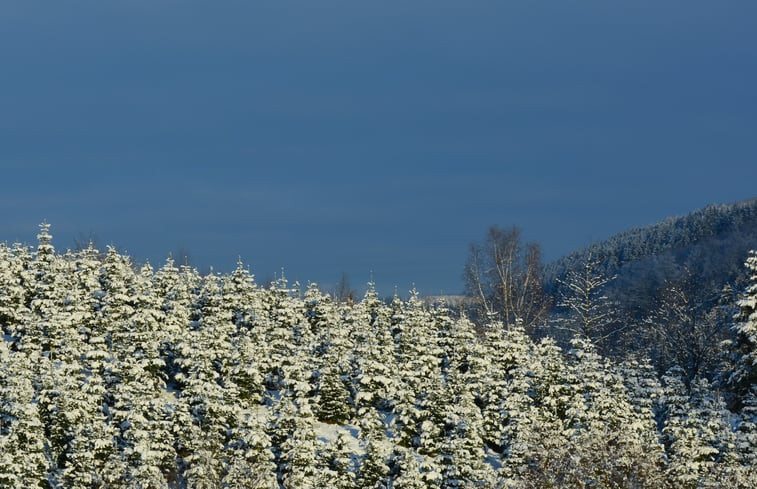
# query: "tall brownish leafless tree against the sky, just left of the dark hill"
[505,278]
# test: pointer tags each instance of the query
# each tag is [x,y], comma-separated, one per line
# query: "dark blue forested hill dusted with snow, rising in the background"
[708,246]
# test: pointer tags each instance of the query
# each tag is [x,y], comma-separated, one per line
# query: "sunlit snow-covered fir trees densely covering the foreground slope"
[114,375]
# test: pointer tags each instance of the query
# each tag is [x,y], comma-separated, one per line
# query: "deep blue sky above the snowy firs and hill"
[375,139]
